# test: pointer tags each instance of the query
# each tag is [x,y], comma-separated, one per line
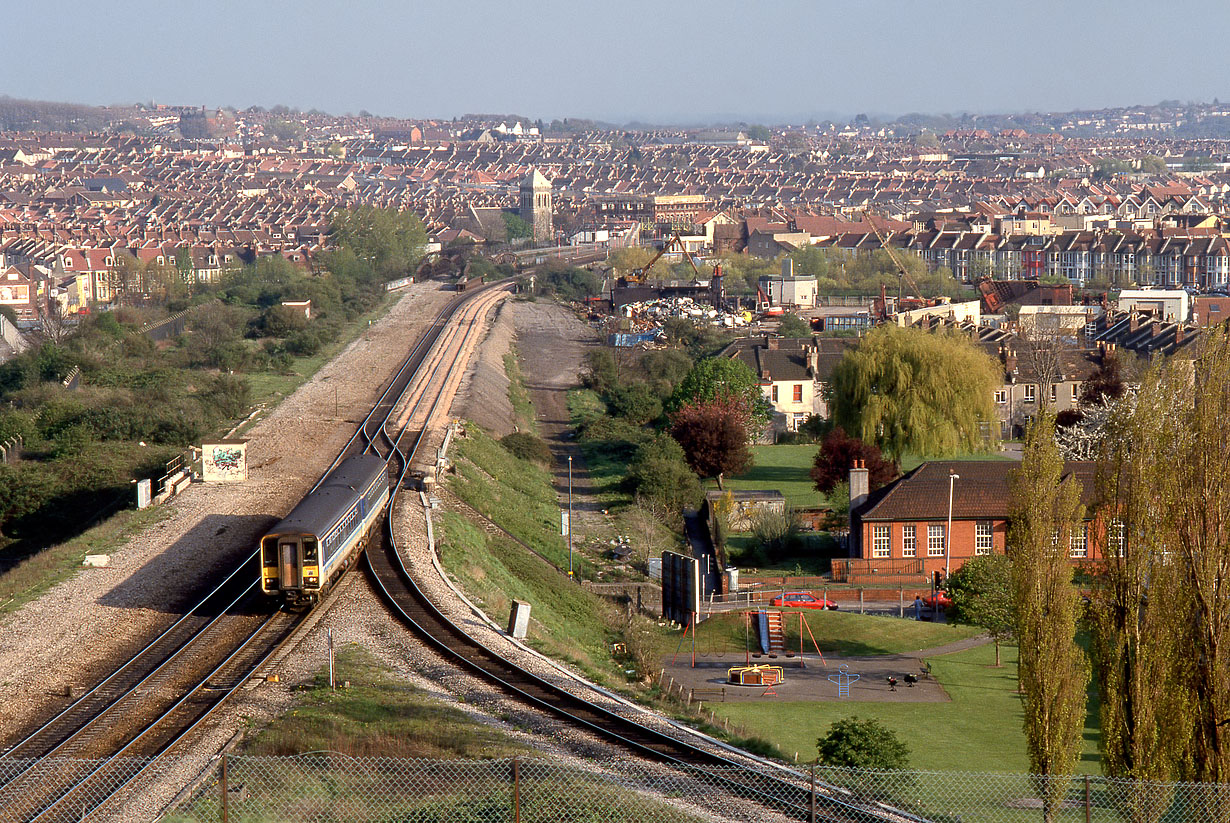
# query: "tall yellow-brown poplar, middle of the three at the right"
[1140,606]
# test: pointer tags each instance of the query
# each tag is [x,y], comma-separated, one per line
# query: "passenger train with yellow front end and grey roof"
[308,552]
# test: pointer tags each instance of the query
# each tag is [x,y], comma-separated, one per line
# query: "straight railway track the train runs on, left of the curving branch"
[73,765]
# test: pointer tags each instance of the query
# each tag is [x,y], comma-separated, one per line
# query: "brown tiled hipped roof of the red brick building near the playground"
[982,493]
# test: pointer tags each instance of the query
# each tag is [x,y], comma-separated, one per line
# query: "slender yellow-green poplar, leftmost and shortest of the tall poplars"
[1053,672]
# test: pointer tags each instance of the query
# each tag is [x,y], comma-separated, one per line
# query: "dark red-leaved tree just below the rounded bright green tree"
[715,436]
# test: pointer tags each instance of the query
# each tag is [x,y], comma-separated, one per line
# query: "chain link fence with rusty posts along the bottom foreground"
[325,787]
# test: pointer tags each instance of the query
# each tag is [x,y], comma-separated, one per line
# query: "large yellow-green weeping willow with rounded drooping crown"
[912,391]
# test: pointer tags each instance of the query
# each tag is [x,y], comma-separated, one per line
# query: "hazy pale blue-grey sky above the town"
[662,62]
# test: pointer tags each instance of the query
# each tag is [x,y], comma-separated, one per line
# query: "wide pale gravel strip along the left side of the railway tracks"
[78,630]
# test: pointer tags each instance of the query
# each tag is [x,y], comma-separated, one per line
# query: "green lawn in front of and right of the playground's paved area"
[978,731]
